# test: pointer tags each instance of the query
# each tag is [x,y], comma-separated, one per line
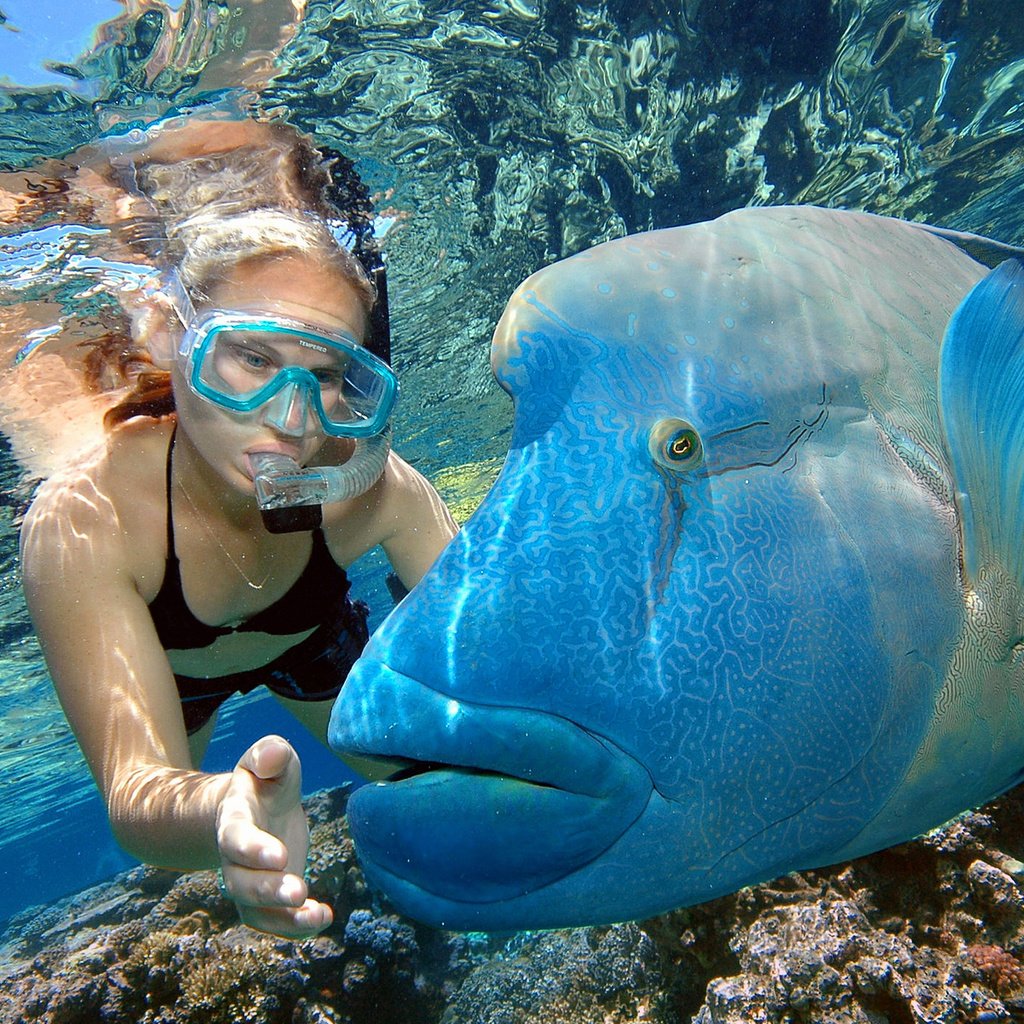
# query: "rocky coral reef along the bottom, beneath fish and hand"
[931,932]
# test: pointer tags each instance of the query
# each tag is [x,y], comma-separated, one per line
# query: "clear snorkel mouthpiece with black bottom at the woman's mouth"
[290,496]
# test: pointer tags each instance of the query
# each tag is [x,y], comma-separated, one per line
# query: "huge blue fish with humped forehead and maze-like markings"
[748,595]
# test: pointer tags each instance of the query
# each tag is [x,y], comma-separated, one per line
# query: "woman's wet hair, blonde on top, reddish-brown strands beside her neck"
[210,247]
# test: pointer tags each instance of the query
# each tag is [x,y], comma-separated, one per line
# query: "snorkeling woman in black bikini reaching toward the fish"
[156,590]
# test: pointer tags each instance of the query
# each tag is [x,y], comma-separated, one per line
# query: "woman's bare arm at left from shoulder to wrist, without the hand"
[113,678]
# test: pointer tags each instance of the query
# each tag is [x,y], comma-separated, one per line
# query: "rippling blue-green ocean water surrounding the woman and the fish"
[503,136]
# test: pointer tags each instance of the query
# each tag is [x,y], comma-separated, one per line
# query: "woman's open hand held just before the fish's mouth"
[264,837]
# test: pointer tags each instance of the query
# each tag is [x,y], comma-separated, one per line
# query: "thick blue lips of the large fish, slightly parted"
[498,803]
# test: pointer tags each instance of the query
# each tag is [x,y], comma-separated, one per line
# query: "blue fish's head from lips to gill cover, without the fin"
[655,645]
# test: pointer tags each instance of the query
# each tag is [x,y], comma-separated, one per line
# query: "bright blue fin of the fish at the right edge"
[982,402]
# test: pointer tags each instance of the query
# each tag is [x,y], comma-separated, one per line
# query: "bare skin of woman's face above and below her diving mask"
[300,288]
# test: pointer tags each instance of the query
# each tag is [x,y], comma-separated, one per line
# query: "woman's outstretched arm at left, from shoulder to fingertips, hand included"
[118,692]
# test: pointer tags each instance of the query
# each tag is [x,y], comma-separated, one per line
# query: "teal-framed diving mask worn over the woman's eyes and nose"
[247,361]
